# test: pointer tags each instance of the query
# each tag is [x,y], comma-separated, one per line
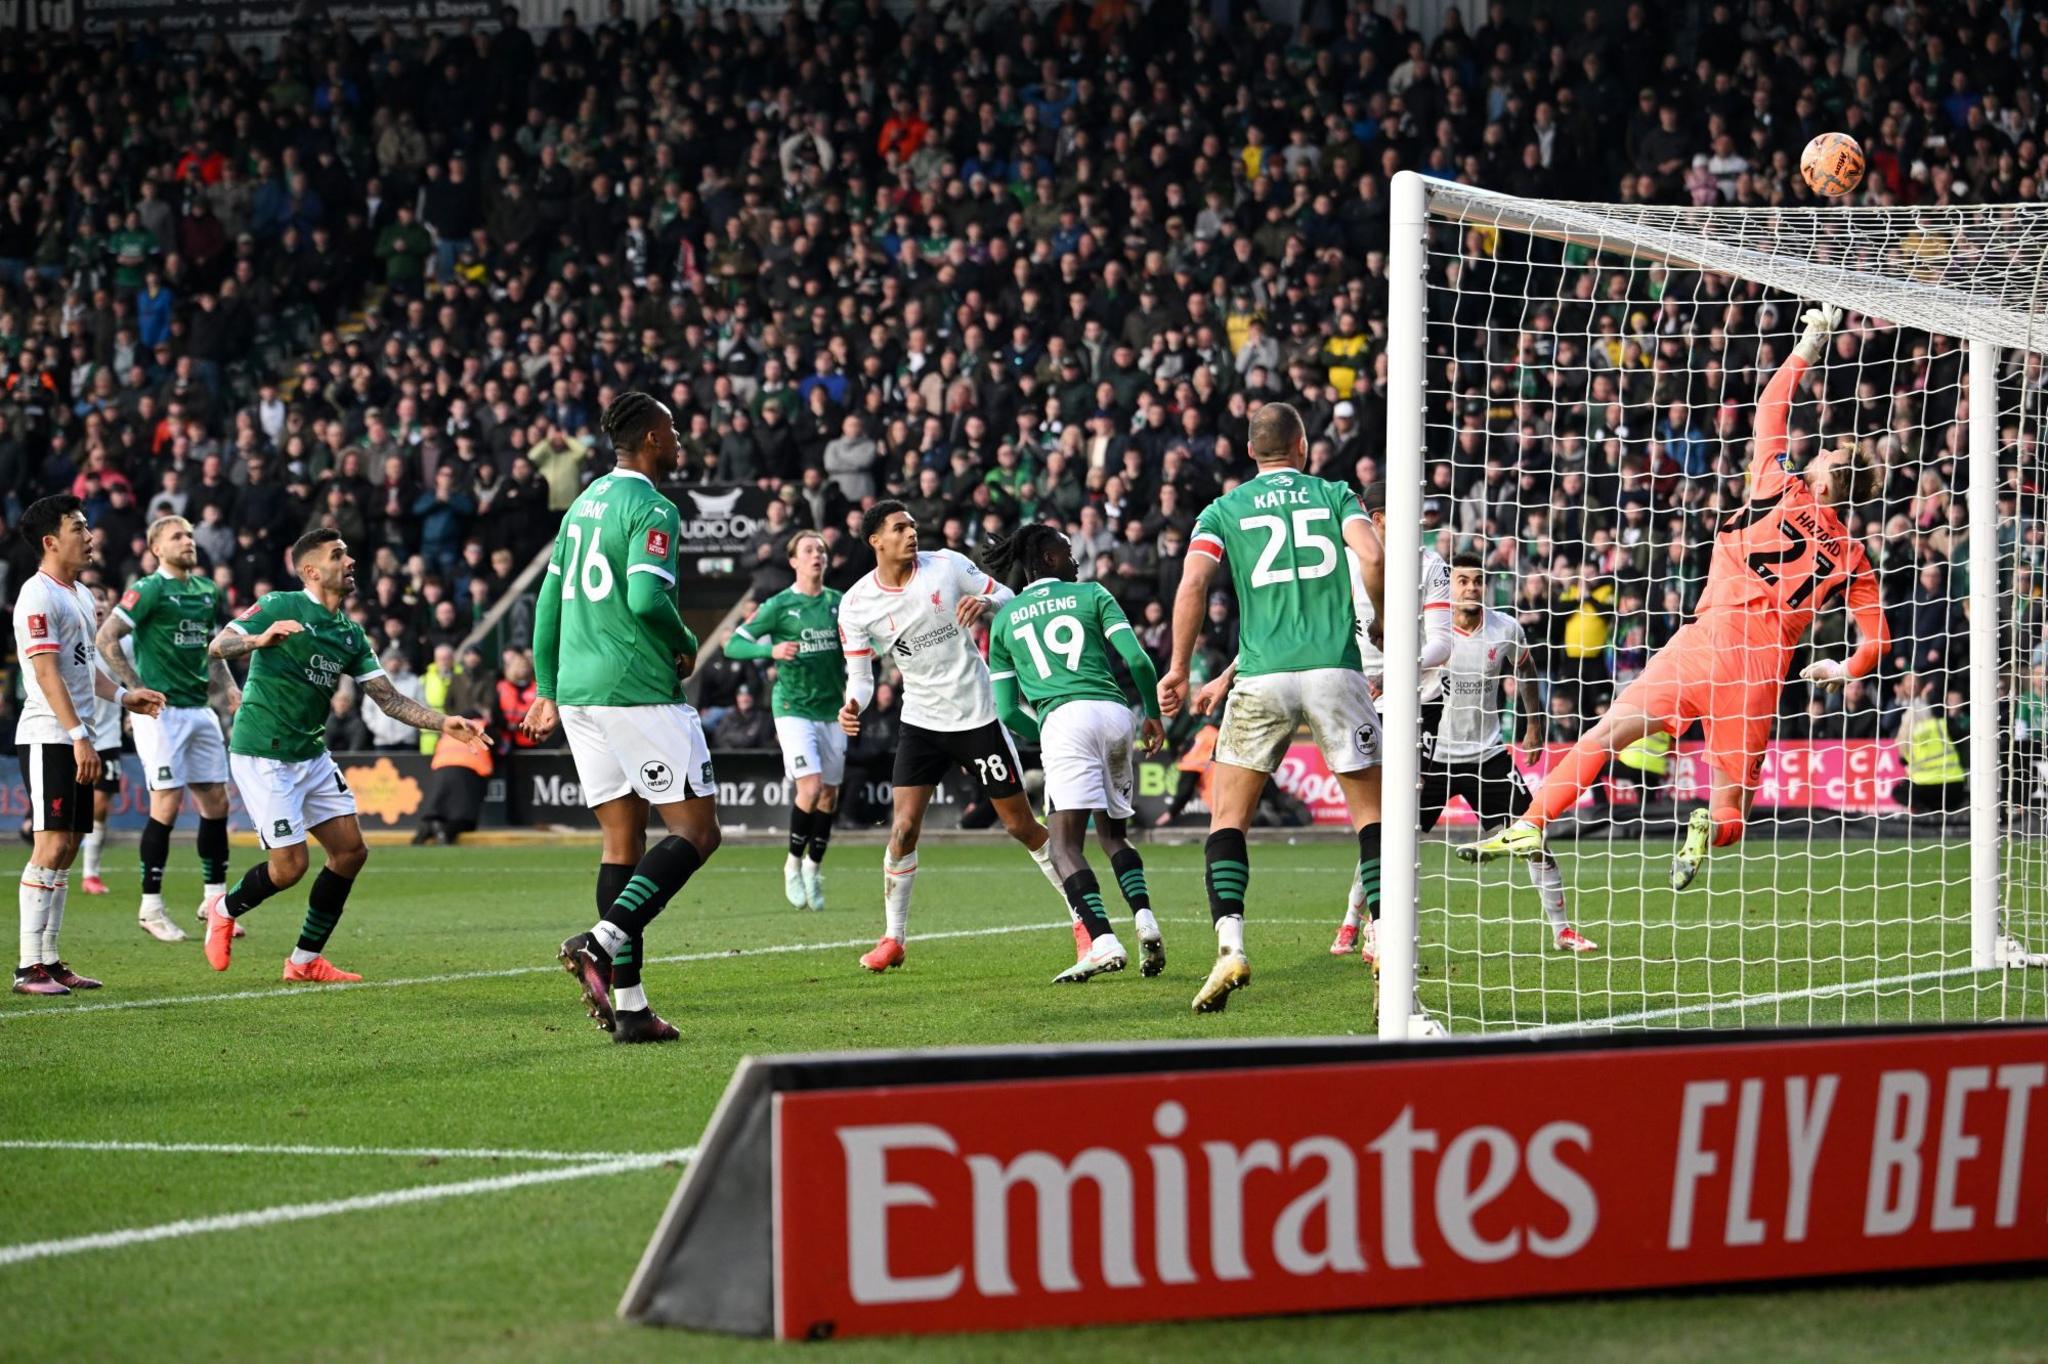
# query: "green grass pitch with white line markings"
[486,1050]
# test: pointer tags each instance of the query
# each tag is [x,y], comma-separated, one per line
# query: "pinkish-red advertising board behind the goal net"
[1830,775]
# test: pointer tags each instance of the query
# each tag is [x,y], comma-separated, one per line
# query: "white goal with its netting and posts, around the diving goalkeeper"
[1574,398]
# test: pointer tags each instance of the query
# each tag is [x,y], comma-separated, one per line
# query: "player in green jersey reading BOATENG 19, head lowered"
[1050,663]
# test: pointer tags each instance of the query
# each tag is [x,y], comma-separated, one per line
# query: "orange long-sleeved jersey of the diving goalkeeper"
[1787,556]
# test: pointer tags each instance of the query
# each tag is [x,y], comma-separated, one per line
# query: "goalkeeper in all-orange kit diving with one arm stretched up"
[1777,562]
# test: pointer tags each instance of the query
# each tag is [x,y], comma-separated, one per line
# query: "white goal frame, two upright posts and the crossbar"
[1408,263]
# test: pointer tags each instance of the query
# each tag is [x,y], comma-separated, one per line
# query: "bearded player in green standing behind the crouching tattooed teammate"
[173,615]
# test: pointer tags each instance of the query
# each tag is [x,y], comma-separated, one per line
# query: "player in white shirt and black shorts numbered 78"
[919,609]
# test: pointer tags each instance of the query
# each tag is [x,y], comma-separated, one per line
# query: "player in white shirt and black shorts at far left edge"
[54,630]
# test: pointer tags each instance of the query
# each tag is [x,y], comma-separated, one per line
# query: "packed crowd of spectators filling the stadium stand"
[994,261]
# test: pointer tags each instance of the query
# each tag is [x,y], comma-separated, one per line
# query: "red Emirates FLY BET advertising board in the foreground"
[984,1191]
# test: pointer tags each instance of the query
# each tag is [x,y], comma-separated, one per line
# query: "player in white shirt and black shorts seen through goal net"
[1469,753]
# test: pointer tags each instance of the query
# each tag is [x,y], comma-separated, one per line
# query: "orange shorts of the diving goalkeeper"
[1727,677]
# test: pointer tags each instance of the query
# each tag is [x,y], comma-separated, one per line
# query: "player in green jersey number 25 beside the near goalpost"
[1283,536]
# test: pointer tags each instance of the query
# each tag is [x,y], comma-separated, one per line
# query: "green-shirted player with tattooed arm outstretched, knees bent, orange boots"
[300,648]
